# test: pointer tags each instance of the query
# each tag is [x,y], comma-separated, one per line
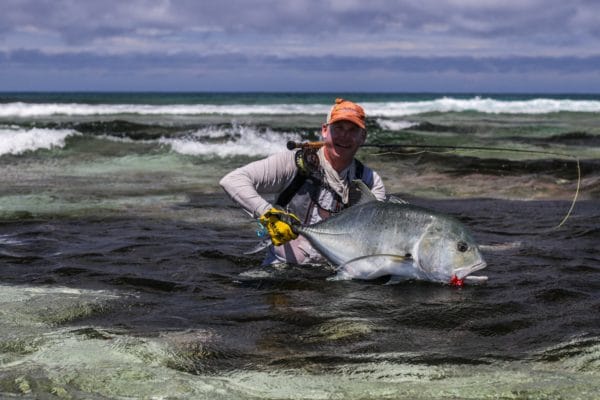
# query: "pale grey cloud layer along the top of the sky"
[78,22]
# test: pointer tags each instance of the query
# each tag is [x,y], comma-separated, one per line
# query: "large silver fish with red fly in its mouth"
[375,239]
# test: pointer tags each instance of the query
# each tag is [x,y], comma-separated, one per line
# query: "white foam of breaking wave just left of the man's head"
[237,141]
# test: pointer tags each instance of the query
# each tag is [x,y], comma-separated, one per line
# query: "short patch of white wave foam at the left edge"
[18,141]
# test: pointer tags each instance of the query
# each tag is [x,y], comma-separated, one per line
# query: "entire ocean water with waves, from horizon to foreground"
[123,274]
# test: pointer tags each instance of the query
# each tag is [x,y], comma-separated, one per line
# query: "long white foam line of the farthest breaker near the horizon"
[373,109]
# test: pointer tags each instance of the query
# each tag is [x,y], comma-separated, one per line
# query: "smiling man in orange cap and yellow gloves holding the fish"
[312,184]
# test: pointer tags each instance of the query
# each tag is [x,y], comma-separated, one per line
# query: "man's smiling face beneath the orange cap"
[342,140]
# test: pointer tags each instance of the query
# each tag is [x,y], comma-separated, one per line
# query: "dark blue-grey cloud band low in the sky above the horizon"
[36,59]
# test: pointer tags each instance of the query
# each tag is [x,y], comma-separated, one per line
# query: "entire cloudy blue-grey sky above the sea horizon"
[541,46]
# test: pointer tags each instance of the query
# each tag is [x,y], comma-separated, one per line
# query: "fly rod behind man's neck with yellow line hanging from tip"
[291,145]
